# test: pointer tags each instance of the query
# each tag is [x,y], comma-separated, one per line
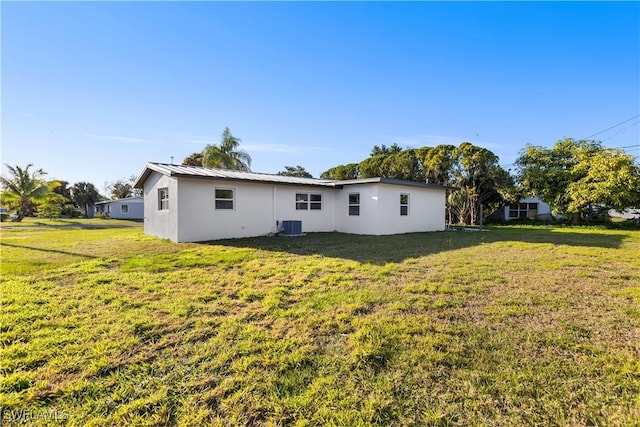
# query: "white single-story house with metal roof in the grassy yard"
[190,204]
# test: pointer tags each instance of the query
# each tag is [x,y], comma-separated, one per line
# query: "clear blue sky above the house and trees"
[92,91]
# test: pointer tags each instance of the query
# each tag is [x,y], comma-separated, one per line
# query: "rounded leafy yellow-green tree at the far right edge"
[576,177]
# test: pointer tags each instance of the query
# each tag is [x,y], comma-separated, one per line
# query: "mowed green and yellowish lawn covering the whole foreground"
[513,326]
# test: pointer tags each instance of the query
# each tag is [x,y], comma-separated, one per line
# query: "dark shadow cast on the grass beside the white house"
[396,248]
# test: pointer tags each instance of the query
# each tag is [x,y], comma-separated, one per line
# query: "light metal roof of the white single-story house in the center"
[224,174]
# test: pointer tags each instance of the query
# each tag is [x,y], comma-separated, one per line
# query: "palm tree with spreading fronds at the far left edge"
[23,188]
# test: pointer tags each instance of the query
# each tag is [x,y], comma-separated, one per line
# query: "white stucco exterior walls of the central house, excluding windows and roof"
[259,208]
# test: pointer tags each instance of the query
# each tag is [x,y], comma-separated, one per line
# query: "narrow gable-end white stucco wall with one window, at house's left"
[161,223]
